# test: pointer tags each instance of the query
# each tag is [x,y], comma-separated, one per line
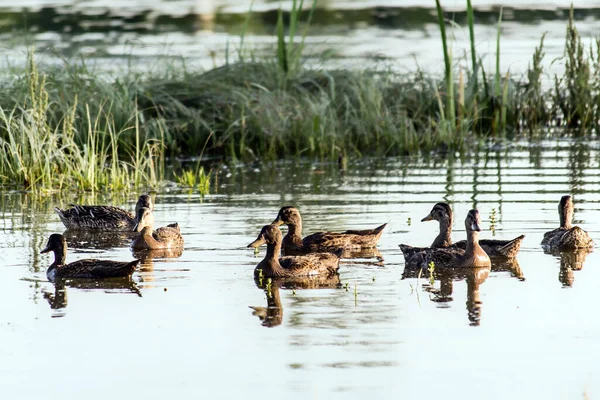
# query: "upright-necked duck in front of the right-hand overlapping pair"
[473,256]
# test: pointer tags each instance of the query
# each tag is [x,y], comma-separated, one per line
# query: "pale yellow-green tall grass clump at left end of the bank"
[40,151]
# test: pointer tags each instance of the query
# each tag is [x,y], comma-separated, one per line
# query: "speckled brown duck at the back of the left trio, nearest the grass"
[102,218]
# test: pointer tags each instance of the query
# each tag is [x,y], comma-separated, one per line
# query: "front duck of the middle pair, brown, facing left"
[274,266]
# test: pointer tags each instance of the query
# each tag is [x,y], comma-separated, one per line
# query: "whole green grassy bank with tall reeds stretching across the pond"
[69,127]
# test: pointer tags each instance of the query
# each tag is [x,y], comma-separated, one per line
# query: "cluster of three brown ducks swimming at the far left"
[109,219]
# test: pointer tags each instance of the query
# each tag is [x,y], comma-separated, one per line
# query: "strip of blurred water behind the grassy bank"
[360,33]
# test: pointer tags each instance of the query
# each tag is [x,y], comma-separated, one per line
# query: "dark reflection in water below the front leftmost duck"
[58,299]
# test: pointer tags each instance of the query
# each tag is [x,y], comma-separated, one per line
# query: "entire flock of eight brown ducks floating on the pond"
[292,255]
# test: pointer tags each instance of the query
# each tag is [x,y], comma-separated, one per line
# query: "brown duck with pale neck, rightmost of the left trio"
[167,237]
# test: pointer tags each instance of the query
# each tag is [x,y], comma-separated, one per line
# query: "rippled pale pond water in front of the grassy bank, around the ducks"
[184,325]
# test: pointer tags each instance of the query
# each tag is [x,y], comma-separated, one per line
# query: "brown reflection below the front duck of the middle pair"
[272,315]
